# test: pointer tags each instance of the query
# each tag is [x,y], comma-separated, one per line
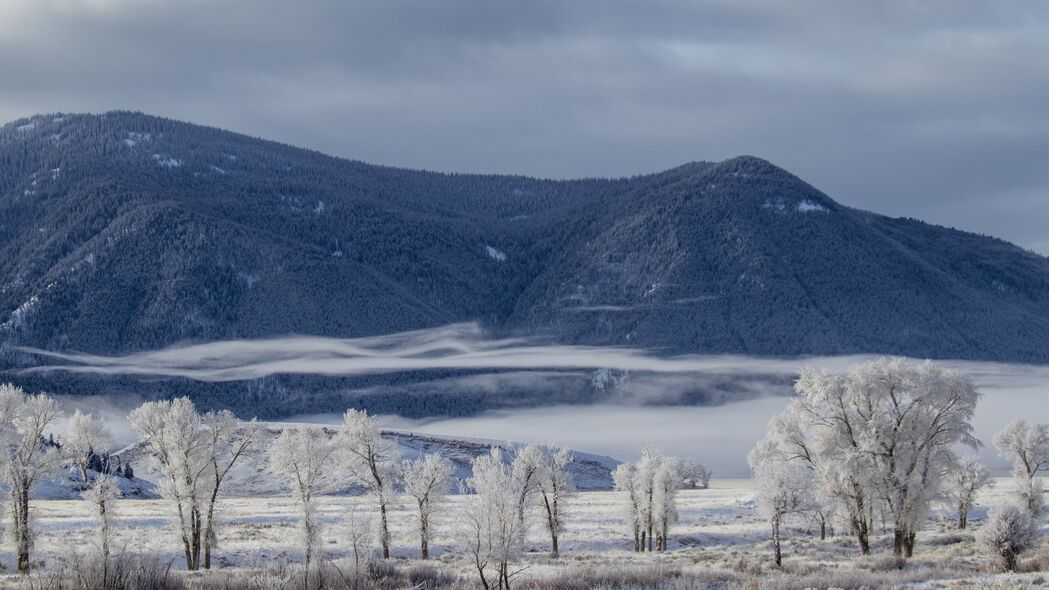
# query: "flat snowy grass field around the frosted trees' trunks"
[719,536]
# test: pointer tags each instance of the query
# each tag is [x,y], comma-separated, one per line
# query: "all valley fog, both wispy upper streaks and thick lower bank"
[719,435]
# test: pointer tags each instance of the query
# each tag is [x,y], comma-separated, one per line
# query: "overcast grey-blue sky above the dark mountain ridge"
[938,111]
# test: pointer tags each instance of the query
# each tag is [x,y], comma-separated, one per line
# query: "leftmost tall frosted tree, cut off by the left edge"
[25,458]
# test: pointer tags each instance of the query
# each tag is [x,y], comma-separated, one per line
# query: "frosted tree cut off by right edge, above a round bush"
[1027,448]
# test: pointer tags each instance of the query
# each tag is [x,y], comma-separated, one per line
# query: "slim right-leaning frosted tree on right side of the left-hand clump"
[228,441]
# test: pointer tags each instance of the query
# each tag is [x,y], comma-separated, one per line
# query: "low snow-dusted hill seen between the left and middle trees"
[251,478]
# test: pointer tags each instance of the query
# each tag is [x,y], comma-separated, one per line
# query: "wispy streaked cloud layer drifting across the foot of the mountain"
[457,347]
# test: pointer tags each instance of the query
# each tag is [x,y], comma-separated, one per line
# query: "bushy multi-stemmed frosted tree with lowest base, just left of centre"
[490,520]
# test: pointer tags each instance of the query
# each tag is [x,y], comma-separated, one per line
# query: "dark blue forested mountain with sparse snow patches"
[124,233]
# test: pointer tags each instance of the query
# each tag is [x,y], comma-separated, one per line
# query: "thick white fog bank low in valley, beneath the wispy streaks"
[722,435]
